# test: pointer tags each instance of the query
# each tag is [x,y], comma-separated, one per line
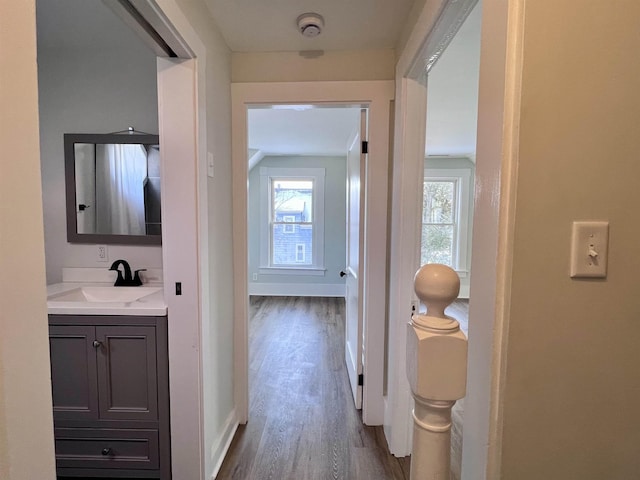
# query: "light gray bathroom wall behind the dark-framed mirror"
[90,91]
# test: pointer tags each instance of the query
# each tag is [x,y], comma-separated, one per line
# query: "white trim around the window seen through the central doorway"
[317,260]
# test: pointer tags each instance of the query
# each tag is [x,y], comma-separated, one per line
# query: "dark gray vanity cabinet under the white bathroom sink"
[110,396]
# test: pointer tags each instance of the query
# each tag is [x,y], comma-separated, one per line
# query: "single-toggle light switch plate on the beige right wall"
[589,245]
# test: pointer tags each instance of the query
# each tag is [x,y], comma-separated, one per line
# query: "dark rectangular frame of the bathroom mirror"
[70,139]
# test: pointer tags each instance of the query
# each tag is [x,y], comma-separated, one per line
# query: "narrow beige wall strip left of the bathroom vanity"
[26,425]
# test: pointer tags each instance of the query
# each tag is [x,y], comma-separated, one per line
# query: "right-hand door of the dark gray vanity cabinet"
[127,372]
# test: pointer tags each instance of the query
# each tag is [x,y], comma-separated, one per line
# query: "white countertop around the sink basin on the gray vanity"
[150,305]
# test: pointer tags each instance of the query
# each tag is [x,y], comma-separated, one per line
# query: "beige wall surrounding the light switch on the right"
[572,391]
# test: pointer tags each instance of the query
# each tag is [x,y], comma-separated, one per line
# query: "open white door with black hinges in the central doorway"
[353,287]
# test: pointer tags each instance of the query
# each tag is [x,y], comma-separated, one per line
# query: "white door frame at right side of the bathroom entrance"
[183,138]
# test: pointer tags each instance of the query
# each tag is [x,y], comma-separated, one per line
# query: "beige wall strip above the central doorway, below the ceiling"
[296,67]
